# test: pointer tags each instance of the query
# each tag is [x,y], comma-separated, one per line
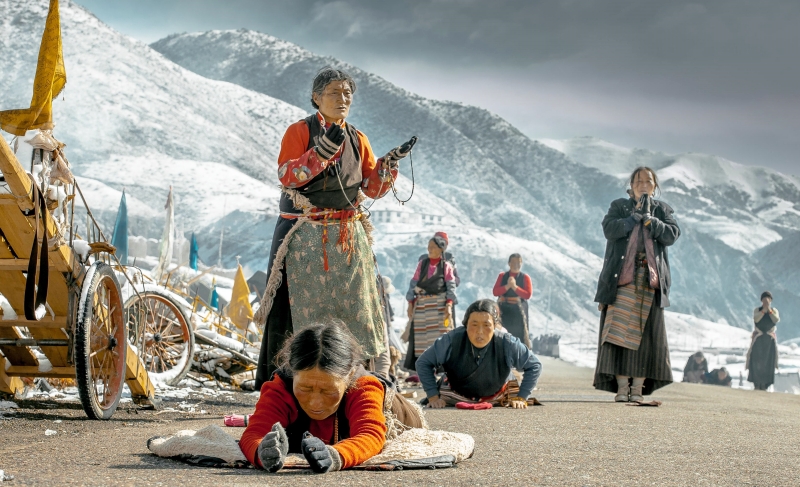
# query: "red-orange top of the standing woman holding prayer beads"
[294,155]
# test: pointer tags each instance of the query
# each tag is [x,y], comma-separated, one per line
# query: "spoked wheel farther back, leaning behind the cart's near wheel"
[164,338]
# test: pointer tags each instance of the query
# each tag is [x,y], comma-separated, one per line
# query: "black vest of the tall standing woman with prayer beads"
[325,189]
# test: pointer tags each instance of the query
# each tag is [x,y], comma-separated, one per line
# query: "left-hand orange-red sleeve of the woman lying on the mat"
[275,405]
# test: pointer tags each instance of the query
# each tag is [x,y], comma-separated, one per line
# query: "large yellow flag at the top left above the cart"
[51,76]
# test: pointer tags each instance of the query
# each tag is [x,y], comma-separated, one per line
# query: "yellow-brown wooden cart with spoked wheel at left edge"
[84,333]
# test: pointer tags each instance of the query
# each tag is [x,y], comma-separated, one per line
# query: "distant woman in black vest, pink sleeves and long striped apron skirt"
[431,295]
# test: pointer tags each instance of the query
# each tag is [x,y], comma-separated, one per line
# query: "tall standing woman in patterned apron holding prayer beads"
[321,263]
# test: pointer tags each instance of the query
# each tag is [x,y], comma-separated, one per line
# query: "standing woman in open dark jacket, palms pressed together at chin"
[633,290]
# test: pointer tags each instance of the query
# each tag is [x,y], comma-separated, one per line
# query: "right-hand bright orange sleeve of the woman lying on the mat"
[364,410]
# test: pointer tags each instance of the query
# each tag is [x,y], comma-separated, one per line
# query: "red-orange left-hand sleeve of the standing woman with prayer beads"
[296,165]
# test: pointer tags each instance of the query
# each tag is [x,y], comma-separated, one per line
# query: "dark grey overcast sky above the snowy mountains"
[721,77]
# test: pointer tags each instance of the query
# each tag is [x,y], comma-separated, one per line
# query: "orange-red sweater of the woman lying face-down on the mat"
[363,408]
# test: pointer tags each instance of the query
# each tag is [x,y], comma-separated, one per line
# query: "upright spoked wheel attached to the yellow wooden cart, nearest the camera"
[100,343]
